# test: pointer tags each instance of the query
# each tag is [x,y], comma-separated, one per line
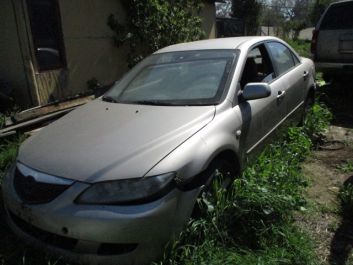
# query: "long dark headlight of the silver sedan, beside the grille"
[128,191]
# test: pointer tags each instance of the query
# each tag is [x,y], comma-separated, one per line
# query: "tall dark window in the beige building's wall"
[46,31]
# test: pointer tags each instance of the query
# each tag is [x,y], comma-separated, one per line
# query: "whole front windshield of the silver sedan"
[176,78]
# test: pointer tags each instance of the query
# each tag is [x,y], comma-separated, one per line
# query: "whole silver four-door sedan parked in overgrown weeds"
[114,180]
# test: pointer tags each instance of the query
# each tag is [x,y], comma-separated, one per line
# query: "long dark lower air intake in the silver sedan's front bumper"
[44,236]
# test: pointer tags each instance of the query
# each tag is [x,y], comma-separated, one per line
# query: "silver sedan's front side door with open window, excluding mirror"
[261,116]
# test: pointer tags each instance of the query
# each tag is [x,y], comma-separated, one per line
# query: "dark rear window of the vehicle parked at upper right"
[339,16]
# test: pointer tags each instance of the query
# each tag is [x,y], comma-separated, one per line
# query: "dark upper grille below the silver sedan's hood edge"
[34,192]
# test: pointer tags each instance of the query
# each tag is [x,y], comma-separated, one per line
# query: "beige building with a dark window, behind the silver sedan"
[49,49]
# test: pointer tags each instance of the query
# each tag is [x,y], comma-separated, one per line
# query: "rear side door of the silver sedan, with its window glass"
[292,76]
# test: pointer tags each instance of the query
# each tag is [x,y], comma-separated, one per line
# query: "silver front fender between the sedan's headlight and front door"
[194,155]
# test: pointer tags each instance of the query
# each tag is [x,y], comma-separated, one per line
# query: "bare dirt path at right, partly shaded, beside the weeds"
[328,169]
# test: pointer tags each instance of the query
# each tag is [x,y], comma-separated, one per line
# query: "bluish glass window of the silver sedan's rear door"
[282,57]
